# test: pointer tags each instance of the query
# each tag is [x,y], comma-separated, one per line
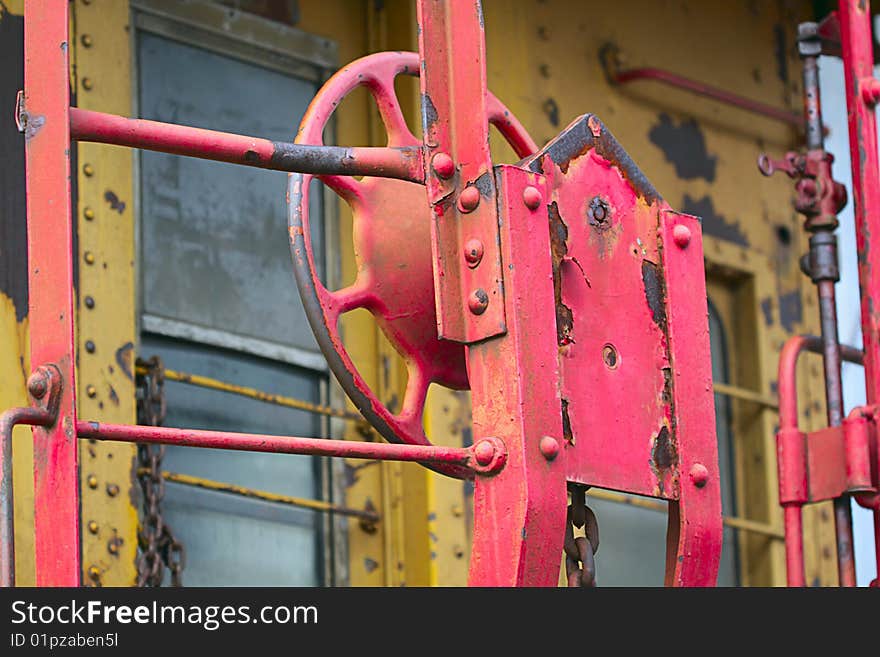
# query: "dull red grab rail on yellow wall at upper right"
[617,75]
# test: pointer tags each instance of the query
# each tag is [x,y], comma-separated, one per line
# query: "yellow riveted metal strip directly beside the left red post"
[106,331]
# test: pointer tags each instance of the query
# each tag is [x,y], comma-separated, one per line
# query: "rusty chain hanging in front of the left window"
[158,546]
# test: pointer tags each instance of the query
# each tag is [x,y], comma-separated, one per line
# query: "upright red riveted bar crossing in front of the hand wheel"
[458,171]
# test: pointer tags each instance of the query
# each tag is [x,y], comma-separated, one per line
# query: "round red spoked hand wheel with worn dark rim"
[392,243]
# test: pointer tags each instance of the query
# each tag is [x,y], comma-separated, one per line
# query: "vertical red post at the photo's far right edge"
[858,58]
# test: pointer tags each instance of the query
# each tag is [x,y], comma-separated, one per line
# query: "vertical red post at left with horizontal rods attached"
[50,278]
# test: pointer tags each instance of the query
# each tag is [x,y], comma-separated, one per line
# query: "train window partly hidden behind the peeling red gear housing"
[632,545]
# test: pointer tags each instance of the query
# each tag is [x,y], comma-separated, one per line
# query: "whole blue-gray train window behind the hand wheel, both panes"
[218,299]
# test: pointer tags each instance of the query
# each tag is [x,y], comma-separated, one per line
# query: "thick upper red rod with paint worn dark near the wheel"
[402,163]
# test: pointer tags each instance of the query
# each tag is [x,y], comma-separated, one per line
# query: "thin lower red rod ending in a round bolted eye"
[486,455]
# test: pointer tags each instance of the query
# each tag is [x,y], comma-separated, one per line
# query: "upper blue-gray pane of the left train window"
[214,235]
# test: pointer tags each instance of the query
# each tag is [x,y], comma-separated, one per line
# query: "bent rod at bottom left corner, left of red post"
[8,420]
